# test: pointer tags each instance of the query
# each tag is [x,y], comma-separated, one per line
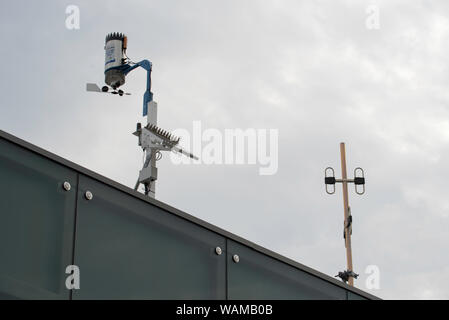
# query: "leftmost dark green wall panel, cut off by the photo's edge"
[36,224]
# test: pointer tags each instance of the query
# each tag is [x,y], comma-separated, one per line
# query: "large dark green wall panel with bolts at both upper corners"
[128,249]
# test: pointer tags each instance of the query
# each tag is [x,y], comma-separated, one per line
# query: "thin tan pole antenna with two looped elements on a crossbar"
[329,180]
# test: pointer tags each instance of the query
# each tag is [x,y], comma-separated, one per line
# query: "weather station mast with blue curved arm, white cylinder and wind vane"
[152,139]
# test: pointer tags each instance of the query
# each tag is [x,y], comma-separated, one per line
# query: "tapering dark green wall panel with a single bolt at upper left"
[257,276]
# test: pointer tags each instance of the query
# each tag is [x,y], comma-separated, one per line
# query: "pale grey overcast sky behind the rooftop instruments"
[311,69]
